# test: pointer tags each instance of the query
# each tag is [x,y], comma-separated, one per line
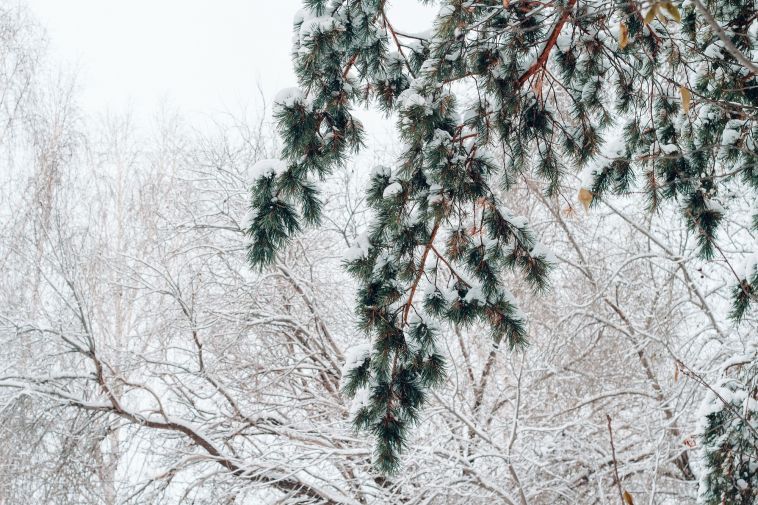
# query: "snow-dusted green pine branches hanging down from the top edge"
[552,83]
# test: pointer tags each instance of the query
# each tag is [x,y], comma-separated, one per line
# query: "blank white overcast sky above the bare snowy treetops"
[201,56]
